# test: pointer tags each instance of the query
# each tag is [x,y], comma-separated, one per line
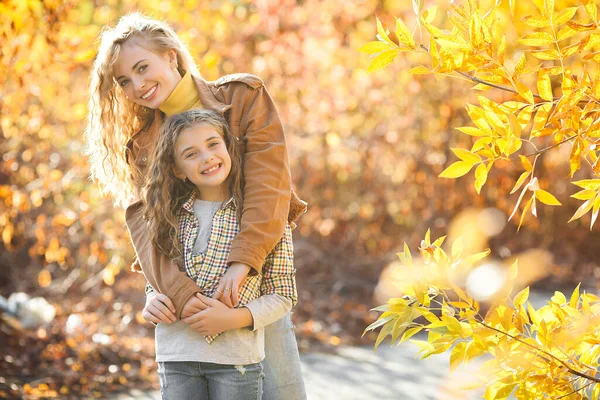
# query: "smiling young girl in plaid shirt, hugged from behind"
[193,200]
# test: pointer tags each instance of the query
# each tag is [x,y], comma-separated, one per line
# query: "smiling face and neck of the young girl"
[201,156]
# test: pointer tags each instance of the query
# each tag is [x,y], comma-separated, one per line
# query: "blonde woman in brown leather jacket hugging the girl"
[143,73]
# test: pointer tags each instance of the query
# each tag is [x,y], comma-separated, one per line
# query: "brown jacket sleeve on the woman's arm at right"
[267,178]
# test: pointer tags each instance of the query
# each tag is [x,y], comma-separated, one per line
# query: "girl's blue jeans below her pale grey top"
[183,380]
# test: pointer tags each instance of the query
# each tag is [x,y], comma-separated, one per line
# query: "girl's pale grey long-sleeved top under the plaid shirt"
[179,342]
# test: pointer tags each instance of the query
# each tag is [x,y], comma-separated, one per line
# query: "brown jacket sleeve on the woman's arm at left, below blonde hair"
[161,273]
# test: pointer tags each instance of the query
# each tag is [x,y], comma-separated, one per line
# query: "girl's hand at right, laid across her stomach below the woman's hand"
[217,317]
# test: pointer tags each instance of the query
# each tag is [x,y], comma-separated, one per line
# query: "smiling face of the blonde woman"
[147,78]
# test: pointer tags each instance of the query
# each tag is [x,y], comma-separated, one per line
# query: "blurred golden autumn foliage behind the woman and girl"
[365,150]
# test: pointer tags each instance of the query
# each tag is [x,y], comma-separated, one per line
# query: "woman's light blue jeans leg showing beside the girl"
[283,373]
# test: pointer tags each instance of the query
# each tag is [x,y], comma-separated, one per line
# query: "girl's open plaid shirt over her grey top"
[207,269]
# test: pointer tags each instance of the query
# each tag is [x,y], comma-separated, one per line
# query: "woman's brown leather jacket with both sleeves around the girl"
[268,198]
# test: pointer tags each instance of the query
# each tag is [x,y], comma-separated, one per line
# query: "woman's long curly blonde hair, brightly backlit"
[112,117]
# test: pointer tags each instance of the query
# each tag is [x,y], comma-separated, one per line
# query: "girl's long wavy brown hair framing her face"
[164,194]
